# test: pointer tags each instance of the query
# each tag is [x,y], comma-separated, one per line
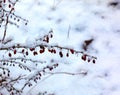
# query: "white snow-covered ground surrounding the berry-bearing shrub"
[84,19]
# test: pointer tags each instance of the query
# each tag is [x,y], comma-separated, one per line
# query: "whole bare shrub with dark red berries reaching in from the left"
[19,67]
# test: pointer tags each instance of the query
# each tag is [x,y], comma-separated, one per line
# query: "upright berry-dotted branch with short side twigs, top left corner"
[7,13]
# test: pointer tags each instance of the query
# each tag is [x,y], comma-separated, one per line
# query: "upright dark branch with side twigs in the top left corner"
[8,14]
